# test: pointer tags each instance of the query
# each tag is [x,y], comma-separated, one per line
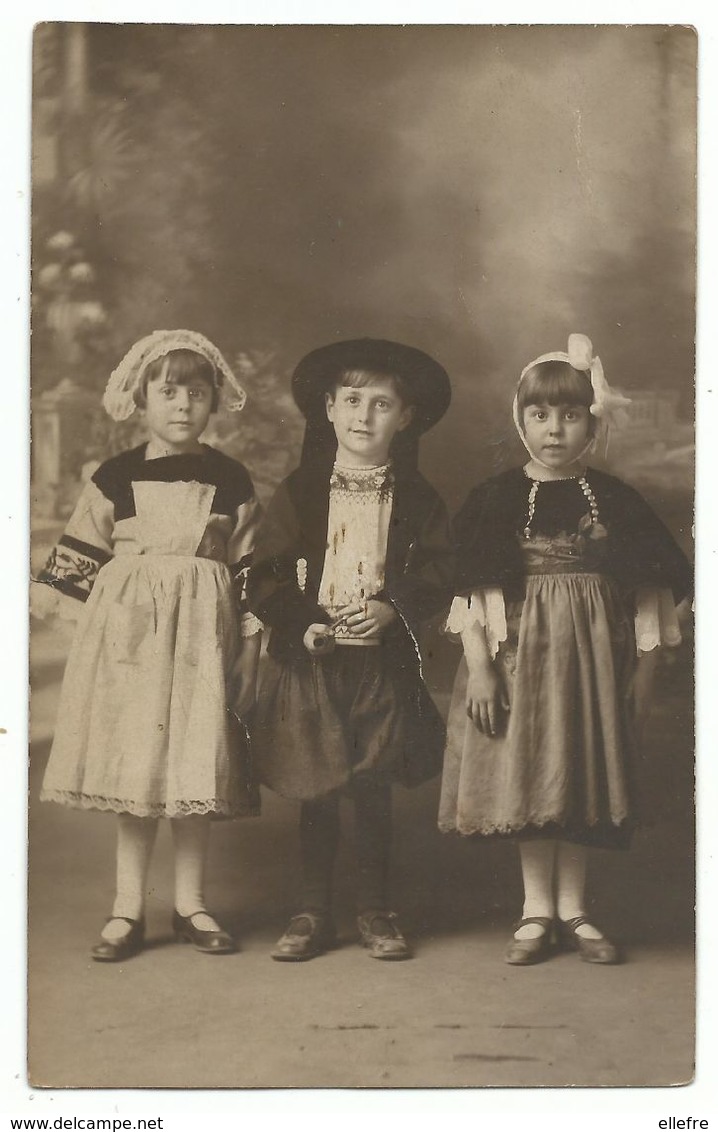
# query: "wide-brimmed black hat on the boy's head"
[428,381]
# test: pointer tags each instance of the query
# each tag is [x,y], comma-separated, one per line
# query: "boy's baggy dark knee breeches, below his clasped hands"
[321,723]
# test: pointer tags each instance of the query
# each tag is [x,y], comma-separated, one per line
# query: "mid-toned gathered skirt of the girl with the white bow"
[562,766]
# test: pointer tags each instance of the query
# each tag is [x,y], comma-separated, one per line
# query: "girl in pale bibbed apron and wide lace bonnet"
[163,671]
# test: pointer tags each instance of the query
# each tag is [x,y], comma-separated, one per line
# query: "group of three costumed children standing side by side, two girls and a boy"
[558,570]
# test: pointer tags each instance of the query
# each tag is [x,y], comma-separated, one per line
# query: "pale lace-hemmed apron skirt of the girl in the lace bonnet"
[143,725]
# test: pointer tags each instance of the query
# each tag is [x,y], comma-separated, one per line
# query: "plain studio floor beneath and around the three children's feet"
[455,1016]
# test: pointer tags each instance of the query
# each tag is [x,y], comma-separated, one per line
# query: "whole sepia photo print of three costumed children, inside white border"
[362,651]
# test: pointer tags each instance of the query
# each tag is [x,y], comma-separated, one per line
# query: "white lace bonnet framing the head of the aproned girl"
[119,396]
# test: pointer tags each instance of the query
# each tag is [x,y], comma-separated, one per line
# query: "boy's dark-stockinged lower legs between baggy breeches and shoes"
[320,833]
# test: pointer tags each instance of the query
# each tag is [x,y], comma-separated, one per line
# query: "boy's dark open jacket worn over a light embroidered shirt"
[418,571]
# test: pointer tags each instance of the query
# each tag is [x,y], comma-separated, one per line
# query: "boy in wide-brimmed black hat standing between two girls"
[353,556]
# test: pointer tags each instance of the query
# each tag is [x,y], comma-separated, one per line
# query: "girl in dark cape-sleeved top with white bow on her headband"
[567,588]
